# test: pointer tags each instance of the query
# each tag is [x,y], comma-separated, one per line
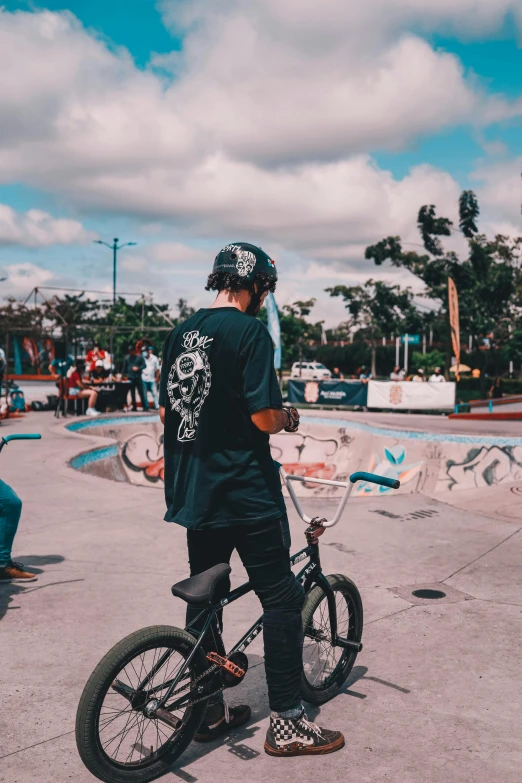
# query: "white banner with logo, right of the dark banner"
[407,395]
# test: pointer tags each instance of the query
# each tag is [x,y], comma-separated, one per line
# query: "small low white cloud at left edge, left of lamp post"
[39,229]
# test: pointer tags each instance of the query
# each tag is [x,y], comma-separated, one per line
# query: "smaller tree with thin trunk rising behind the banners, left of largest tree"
[379,309]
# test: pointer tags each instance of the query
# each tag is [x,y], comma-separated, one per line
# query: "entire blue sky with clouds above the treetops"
[311,129]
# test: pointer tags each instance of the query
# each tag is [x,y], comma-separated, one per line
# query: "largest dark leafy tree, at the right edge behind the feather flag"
[488,281]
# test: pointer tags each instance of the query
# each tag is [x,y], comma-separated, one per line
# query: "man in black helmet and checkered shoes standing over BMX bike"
[219,401]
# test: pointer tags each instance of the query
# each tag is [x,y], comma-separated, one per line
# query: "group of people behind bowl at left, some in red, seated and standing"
[83,377]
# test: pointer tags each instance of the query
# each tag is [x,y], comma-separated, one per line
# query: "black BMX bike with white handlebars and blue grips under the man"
[145,700]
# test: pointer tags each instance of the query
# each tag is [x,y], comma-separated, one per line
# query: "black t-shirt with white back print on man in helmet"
[218,369]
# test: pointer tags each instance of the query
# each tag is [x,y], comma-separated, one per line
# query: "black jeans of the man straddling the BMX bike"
[264,550]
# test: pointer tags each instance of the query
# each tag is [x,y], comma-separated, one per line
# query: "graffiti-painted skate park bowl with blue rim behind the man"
[330,446]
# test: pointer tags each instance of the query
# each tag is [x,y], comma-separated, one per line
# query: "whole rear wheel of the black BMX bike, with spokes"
[116,740]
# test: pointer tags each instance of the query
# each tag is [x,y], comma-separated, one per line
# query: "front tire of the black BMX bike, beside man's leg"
[312,692]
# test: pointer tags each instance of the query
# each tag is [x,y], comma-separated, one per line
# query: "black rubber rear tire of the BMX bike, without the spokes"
[97,687]
